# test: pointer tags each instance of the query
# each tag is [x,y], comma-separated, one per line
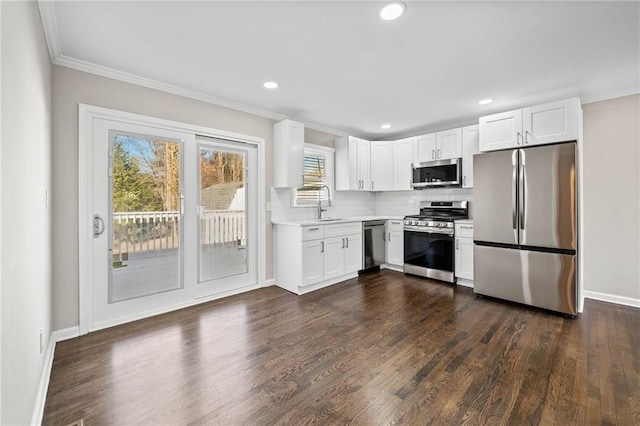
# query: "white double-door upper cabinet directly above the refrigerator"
[542,124]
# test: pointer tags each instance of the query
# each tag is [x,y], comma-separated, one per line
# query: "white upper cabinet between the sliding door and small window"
[288,154]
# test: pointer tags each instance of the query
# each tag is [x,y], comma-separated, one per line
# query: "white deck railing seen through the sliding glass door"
[143,232]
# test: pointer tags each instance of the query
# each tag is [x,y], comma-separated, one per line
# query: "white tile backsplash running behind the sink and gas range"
[356,203]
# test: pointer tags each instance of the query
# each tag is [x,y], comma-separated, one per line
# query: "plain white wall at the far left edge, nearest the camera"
[26,220]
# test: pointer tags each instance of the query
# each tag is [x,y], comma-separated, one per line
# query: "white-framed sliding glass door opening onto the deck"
[174,219]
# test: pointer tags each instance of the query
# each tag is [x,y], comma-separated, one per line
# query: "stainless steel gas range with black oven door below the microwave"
[429,249]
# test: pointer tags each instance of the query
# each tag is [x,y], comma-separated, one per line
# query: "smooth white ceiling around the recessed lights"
[342,69]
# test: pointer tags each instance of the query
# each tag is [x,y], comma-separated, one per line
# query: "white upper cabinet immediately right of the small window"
[352,164]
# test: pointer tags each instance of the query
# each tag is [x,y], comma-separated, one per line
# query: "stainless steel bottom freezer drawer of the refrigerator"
[545,280]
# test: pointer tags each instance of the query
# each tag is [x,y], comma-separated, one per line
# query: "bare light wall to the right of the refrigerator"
[612,199]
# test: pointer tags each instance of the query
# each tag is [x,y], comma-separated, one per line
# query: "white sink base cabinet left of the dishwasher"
[311,257]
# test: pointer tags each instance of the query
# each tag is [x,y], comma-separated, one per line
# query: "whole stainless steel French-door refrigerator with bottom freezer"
[525,226]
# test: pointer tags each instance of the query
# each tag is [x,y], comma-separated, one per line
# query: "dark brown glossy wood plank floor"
[381,349]
